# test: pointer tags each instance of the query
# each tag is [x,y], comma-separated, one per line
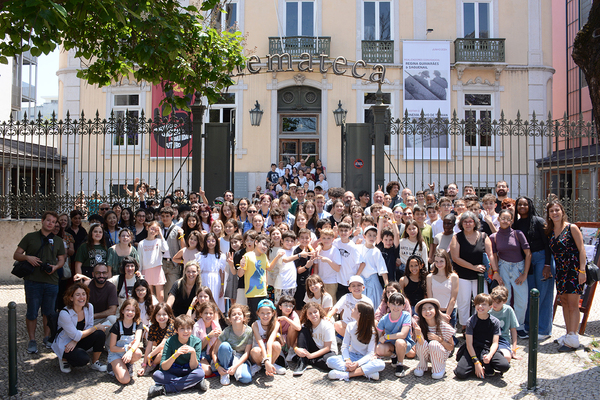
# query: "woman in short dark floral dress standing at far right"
[566,245]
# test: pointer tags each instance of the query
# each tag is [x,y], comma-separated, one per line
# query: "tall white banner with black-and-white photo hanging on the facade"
[426,76]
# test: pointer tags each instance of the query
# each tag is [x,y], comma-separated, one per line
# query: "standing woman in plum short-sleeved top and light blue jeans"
[508,245]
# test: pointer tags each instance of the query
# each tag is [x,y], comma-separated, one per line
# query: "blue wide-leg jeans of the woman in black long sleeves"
[546,288]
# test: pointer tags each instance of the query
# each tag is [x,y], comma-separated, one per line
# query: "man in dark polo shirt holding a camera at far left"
[46,253]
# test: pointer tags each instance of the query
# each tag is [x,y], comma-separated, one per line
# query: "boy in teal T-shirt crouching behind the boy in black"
[508,322]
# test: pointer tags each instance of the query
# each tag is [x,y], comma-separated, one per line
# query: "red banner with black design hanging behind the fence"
[173,138]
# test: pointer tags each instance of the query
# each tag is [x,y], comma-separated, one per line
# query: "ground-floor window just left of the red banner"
[126,109]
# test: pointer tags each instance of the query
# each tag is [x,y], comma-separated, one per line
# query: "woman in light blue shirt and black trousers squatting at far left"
[78,333]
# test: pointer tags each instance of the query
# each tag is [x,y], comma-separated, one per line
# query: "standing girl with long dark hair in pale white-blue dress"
[212,267]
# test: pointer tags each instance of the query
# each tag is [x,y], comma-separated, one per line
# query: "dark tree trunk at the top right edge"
[586,54]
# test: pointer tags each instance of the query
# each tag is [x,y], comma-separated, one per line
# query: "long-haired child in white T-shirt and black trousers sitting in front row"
[316,340]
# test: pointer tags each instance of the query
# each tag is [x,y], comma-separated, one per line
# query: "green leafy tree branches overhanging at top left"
[156,41]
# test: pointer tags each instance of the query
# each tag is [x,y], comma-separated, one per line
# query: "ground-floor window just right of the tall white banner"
[478,116]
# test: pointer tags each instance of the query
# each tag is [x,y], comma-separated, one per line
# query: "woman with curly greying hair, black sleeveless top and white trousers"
[467,250]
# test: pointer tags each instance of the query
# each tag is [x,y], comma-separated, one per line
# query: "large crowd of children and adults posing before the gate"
[301,278]
